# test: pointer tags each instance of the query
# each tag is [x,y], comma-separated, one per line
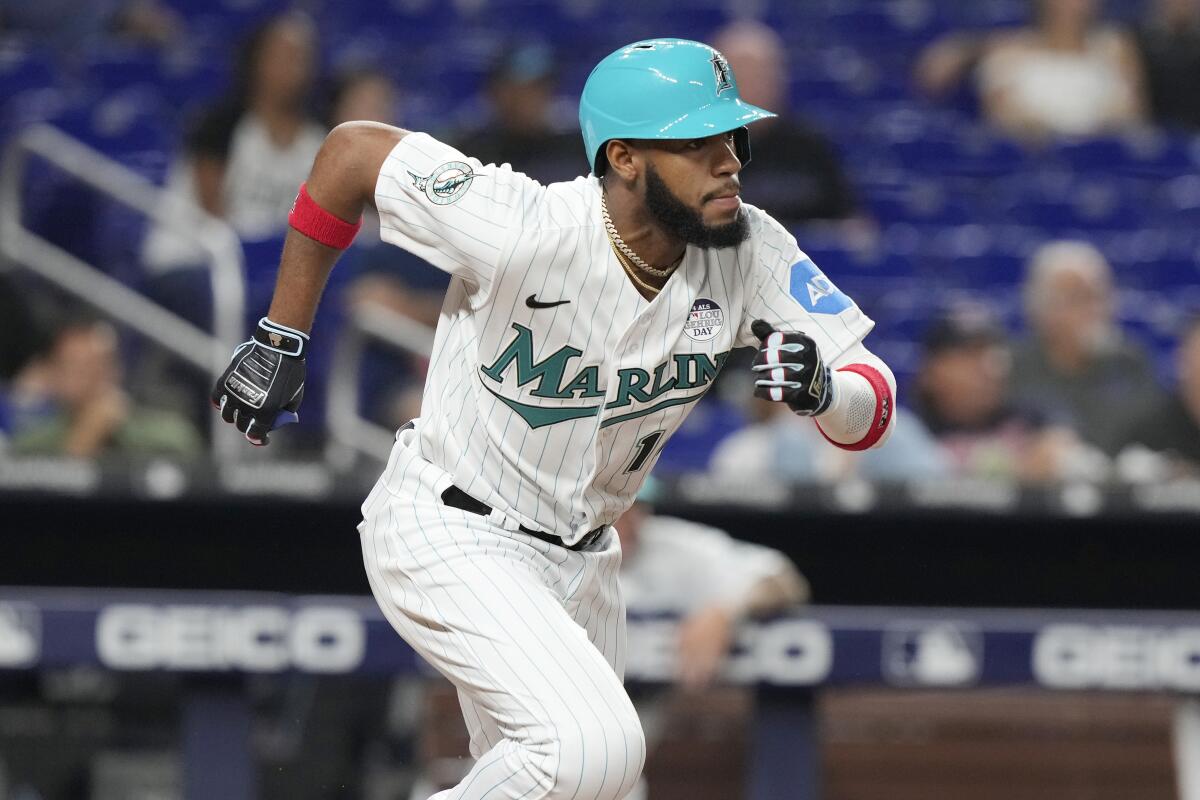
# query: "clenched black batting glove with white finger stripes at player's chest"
[790,370]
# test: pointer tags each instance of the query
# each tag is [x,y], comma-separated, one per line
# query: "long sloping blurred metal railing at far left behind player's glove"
[207,352]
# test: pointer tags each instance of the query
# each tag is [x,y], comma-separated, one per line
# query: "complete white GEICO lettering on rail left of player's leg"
[251,639]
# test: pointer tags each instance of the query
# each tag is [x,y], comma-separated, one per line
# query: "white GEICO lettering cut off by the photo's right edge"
[1111,657]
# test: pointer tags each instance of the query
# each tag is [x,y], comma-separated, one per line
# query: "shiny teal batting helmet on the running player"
[663,89]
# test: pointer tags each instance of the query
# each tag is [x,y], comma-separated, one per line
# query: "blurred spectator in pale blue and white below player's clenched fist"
[781,446]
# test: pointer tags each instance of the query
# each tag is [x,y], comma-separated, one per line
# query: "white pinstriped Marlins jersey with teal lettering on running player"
[554,416]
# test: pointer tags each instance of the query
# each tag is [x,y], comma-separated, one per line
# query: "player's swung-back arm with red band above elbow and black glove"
[265,382]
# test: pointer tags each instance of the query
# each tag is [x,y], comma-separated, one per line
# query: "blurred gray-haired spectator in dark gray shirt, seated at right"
[1077,369]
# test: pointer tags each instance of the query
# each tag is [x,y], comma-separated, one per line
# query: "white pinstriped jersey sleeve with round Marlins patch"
[451,209]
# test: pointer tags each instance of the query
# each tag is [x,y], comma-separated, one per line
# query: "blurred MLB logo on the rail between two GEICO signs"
[933,654]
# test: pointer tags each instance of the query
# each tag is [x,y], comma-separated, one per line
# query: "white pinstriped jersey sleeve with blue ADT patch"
[793,294]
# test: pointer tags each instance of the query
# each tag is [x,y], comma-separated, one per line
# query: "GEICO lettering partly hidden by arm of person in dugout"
[789,653]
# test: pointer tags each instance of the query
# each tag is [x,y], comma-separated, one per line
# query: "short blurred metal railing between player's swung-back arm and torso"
[350,432]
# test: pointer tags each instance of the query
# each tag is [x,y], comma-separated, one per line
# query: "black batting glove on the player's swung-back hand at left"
[263,386]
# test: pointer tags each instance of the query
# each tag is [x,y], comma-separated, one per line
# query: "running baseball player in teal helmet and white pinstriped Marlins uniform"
[583,323]
